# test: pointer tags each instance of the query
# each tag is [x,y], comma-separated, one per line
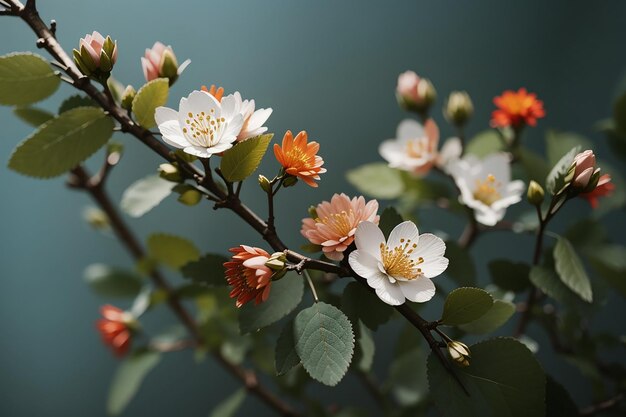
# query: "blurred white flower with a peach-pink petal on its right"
[414,149]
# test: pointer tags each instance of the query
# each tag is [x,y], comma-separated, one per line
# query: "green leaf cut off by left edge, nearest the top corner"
[25,78]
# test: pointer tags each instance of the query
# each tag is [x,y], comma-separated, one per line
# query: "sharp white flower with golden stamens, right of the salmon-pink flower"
[400,268]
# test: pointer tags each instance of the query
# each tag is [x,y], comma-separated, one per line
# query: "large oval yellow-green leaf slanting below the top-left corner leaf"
[62,143]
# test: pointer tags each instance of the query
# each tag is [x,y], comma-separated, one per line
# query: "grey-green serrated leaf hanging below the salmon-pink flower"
[324,342]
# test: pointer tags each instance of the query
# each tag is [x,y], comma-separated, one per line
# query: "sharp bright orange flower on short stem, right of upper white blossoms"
[300,158]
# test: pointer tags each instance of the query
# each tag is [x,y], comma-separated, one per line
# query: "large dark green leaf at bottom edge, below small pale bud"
[503,379]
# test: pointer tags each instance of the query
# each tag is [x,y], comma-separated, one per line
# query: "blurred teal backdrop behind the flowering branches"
[328,67]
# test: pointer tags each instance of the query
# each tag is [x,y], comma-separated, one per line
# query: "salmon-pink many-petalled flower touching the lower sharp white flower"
[336,223]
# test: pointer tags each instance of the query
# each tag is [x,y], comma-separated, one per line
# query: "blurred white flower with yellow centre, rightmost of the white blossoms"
[486,186]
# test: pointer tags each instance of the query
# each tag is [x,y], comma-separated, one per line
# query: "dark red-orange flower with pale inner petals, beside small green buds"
[247,274]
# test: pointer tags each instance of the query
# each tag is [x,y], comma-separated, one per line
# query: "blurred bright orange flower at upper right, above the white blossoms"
[516,109]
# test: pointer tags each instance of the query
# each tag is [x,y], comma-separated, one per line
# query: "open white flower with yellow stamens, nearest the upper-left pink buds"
[203,126]
